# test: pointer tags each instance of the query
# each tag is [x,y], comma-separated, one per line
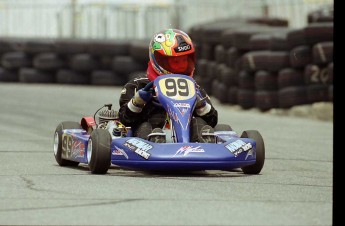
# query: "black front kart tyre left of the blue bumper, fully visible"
[98,151]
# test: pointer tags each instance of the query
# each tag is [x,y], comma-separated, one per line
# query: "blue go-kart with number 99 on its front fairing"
[102,140]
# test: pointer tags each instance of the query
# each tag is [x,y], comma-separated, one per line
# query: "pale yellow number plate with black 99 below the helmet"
[177,88]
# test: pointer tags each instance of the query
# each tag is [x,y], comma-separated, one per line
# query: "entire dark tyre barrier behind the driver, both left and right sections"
[253,62]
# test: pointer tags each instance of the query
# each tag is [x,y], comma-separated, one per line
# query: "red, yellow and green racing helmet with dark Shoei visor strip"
[172,51]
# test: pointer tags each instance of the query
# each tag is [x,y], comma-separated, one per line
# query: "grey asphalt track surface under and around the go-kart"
[294,187]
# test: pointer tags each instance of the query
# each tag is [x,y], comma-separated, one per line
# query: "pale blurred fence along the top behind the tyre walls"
[109,20]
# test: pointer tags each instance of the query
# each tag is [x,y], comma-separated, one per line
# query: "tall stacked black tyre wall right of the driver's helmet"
[265,65]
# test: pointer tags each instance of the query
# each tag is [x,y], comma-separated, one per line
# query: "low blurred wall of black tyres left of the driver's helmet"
[72,61]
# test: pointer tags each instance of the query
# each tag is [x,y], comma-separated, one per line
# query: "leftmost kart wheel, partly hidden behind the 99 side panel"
[58,142]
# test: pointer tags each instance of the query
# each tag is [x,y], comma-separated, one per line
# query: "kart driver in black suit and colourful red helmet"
[171,51]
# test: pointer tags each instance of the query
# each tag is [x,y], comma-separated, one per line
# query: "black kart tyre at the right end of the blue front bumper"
[260,152]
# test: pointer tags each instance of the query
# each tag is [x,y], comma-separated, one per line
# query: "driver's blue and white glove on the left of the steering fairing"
[140,98]
